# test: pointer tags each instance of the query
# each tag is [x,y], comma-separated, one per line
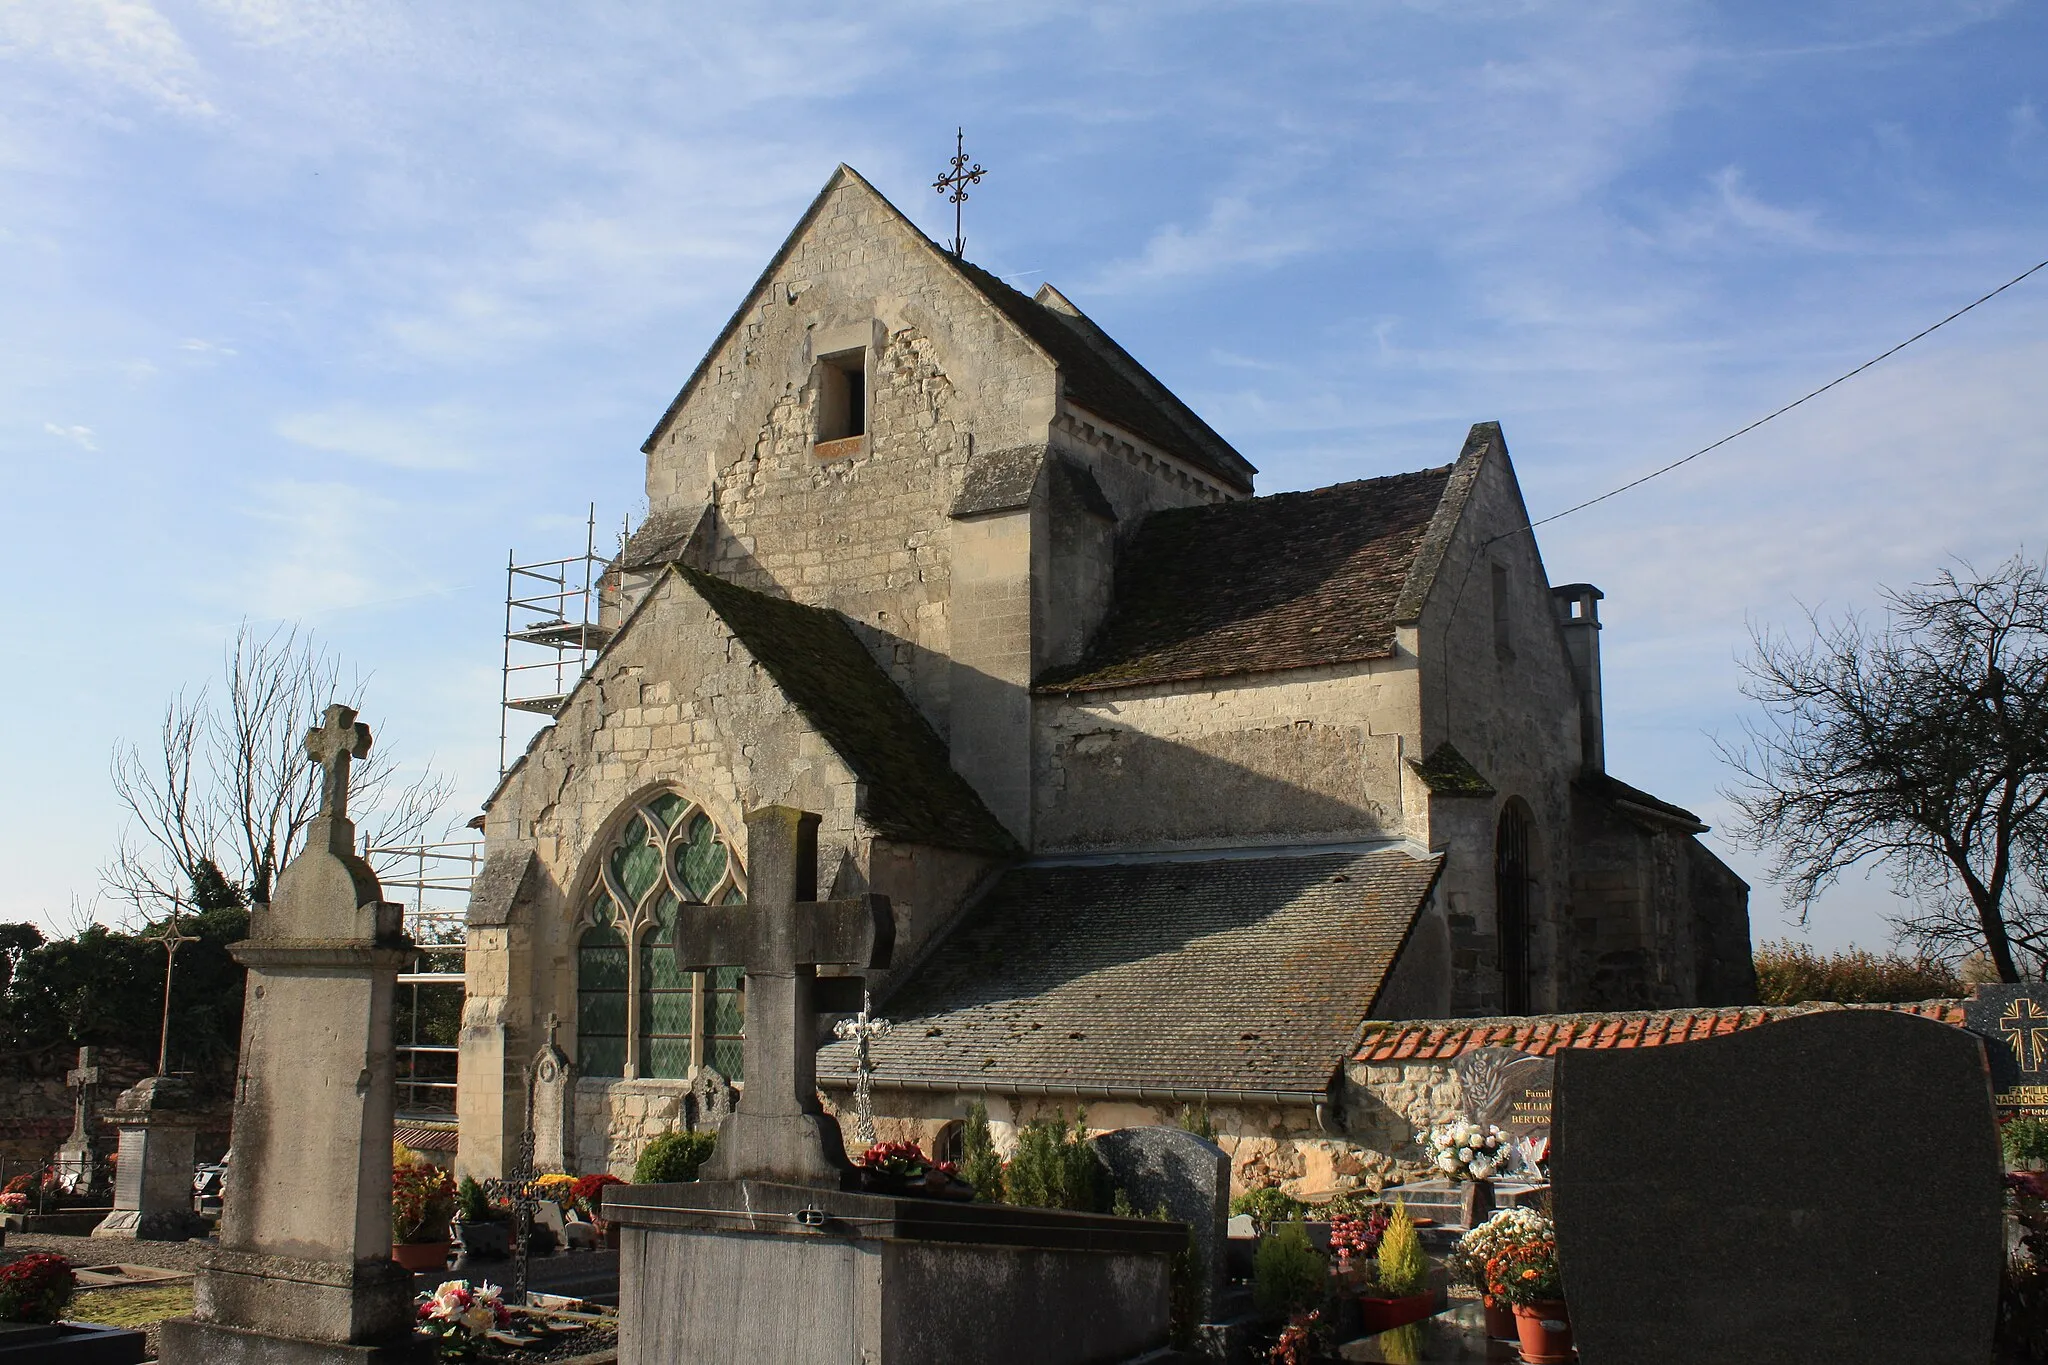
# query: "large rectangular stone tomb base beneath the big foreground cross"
[794,1274]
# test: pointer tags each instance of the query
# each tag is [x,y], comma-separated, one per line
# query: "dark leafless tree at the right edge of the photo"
[1922,746]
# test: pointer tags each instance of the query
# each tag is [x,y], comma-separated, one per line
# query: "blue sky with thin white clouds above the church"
[312,312]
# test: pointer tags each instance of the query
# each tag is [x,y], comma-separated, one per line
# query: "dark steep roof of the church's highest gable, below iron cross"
[1095,371]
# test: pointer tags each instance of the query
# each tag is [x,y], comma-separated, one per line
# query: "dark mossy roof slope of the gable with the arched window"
[910,787]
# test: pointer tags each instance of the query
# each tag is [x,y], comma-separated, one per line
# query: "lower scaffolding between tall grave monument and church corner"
[433,883]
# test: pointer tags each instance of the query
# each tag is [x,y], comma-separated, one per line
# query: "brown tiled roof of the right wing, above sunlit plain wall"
[1281,582]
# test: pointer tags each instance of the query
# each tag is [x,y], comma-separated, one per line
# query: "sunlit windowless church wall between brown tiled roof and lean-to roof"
[1299,756]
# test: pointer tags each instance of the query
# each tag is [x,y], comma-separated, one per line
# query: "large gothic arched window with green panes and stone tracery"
[638,1014]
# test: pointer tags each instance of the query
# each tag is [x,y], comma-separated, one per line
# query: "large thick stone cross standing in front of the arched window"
[781,936]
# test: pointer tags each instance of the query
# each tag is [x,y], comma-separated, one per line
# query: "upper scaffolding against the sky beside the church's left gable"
[552,631]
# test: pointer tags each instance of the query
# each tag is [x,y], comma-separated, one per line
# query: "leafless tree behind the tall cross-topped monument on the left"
[226,791]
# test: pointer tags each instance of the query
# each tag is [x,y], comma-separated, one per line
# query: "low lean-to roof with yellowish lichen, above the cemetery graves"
[1203,975]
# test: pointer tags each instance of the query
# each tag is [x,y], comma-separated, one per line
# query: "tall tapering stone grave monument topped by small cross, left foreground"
[304,1272]
